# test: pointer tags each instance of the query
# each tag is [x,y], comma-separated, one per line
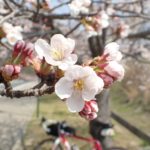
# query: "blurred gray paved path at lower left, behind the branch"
[14,117]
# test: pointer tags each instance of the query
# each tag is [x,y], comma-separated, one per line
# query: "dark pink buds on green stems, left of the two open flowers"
[21,55]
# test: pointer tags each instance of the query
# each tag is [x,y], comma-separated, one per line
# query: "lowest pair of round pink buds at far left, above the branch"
[10,72]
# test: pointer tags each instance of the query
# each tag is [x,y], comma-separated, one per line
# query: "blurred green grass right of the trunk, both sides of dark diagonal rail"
[133,113]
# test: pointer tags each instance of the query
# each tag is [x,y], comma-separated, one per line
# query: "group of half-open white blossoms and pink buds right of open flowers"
[107,66]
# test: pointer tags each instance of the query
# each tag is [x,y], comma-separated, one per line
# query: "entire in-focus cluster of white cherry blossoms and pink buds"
[78,85]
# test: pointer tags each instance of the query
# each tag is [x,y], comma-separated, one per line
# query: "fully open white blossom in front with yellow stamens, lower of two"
[81,84]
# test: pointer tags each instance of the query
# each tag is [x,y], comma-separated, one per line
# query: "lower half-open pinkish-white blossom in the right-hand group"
[115,70]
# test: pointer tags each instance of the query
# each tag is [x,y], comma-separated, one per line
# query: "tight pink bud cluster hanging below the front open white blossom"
[90,110]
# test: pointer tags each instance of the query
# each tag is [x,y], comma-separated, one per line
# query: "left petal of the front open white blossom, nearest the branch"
[64,88]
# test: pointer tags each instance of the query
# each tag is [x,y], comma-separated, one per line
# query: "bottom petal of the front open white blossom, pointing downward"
[75,103]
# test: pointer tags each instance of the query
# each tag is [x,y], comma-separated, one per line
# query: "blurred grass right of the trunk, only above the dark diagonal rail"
[132,112]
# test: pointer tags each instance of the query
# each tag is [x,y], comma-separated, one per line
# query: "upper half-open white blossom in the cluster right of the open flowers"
[111,52]
